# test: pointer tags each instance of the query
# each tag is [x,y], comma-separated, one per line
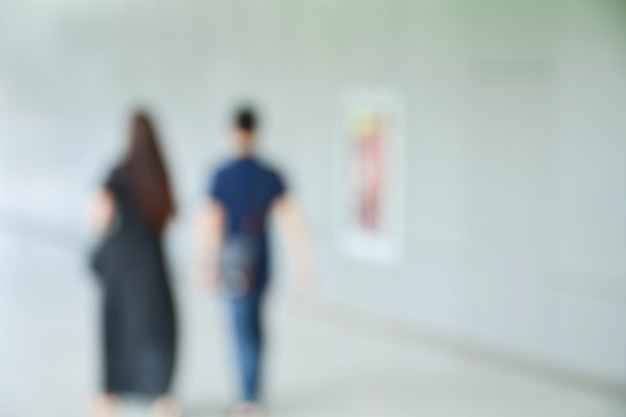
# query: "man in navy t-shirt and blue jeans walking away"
[232,244]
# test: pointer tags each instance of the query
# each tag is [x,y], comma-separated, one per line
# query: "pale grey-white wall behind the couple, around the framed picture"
[517,143]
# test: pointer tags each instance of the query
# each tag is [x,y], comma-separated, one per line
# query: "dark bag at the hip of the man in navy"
[240,264]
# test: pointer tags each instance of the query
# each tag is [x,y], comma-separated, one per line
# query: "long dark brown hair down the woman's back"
[147,174]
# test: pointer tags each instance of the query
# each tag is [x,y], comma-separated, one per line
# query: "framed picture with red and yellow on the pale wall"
[370,177]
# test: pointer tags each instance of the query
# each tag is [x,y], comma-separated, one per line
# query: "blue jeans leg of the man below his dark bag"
[246,315]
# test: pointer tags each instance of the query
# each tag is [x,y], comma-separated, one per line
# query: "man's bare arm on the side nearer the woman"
[208,235]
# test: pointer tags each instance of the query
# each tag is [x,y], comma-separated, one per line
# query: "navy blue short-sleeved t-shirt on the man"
[247,188]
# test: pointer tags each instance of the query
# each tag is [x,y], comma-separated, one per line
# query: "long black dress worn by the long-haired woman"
[139,324]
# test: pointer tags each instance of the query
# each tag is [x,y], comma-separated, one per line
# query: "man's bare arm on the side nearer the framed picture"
[292,226]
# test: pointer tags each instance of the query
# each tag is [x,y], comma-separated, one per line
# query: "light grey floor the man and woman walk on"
[317,366]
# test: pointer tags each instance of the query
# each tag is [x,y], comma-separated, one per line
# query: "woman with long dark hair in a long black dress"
[131,212]
